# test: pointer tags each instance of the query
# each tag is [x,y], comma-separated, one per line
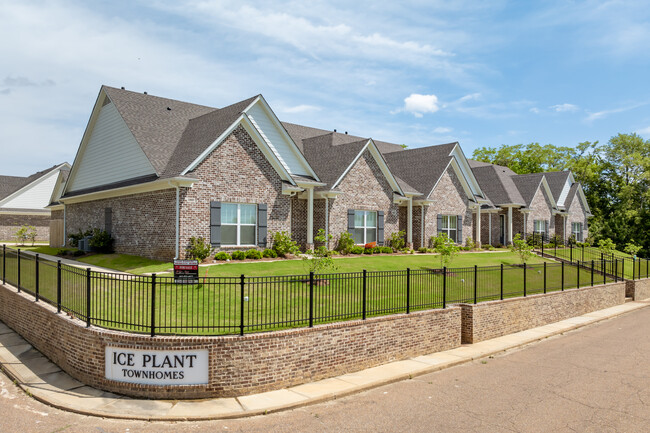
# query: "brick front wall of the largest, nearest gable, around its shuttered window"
[237,171]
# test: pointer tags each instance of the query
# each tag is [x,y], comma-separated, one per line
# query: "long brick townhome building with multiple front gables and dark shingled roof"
[155,172]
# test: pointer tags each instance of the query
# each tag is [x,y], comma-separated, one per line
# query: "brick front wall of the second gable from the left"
[363,188]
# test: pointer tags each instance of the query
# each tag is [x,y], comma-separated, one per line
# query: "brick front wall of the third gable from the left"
[448,198]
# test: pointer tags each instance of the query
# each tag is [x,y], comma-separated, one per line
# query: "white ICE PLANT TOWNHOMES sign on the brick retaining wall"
[157,367]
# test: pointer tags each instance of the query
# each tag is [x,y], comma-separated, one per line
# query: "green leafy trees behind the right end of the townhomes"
[615,177]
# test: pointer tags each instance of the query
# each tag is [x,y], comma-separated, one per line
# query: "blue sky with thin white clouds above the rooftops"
[418,73]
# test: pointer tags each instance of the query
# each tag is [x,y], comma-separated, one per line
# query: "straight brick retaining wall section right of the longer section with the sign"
[497,318]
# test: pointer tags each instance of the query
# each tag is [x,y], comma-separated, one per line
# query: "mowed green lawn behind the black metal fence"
[214,305]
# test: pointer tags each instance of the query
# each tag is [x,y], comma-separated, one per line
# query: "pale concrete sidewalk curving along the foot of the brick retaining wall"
[46,382]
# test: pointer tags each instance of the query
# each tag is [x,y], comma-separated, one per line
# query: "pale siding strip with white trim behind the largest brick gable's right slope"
[276,141]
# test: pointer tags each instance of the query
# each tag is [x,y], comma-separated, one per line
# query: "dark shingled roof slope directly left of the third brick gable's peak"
[421,167]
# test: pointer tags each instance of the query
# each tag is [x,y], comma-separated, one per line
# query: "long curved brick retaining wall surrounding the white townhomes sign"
[237,365]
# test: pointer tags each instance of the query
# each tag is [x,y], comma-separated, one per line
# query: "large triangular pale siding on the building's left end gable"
[111,154]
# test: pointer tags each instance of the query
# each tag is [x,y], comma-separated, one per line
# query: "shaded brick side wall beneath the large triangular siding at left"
[142,224]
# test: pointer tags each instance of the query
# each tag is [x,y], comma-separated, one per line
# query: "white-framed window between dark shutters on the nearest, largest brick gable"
[238,224]
